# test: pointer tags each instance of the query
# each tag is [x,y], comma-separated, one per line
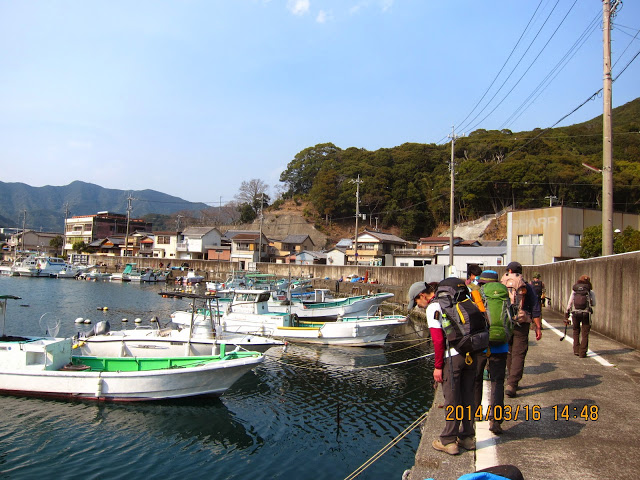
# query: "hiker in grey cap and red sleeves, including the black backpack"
[458,331]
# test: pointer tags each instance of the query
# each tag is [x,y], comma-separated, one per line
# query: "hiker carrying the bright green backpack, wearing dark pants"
[495,297]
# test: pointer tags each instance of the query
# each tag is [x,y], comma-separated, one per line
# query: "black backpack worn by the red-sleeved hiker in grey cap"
[465,326]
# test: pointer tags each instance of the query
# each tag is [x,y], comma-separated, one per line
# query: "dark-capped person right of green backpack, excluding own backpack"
[519,344]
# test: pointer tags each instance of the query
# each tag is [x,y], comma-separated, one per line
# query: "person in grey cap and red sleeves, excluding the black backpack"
[456,376]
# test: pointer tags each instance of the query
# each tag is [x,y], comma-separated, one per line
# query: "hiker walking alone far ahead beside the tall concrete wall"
[580,307]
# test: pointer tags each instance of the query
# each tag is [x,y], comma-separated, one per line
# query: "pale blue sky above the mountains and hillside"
[193,97]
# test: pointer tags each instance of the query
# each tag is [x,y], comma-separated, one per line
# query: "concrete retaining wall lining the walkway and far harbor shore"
[614,279]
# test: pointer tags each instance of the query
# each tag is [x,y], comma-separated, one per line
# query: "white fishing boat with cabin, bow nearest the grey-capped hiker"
[249,313]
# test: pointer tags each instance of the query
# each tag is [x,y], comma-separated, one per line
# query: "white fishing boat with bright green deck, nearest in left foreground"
[45,367]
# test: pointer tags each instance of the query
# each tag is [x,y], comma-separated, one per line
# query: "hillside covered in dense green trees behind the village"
[408,185]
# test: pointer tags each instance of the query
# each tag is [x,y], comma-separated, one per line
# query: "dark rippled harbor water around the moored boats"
[309,412]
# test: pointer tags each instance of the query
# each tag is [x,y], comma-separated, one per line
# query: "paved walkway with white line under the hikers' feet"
[547,446]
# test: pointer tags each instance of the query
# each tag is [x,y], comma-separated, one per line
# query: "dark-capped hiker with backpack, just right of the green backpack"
[526,312]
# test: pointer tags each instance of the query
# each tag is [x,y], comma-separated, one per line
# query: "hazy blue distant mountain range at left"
[45,206]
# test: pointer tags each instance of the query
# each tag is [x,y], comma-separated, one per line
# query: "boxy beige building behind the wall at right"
[546,235]
